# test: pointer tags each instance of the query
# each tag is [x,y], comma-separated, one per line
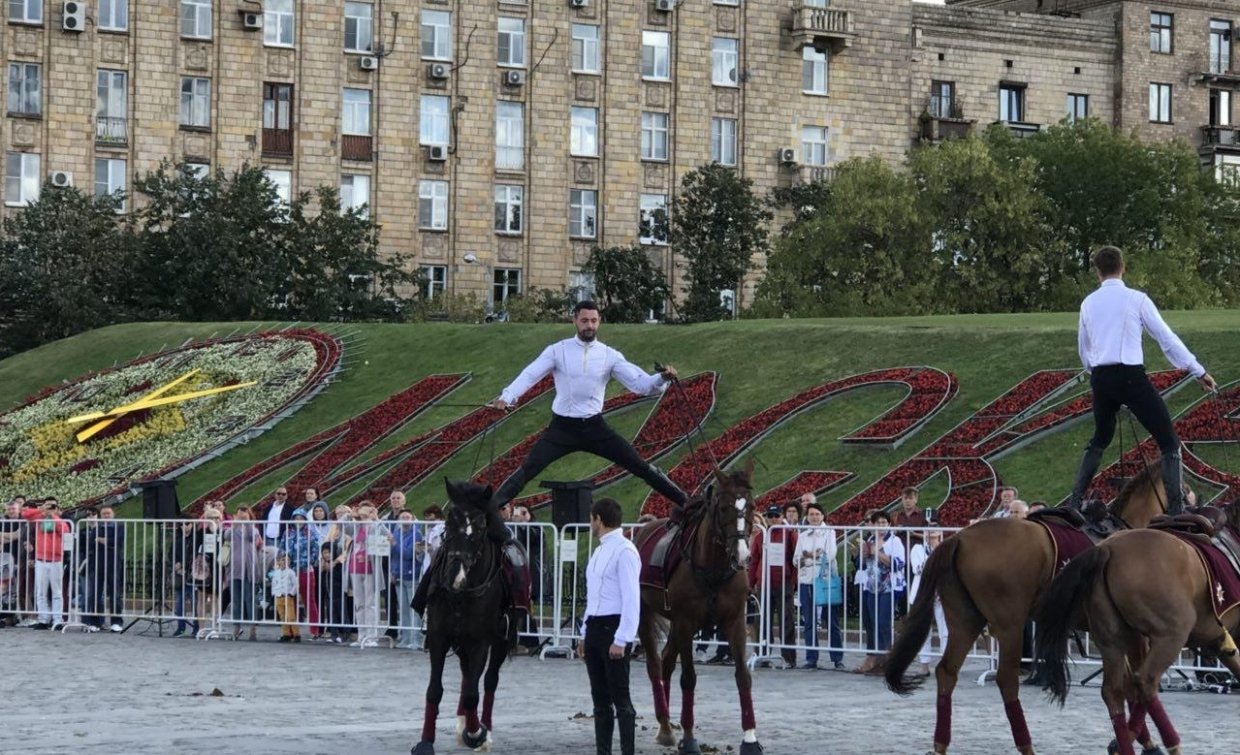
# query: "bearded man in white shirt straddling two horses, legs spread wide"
[583,368]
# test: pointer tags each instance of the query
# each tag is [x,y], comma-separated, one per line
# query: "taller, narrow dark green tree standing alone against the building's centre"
[717,226]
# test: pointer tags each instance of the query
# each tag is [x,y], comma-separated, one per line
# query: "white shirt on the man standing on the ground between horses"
[613,585]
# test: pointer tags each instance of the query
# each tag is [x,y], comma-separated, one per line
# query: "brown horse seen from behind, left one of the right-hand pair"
[991,575]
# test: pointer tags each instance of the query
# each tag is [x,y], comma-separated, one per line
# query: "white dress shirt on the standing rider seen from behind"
[1112,322]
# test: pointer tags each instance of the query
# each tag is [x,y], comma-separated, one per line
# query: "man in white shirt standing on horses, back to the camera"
[1112,322]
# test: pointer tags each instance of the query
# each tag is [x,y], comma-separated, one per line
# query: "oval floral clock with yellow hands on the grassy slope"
[159,416]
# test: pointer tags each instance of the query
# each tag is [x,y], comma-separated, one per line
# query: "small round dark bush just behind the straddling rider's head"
[628,286]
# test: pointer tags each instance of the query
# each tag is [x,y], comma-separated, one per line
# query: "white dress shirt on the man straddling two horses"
[582,374]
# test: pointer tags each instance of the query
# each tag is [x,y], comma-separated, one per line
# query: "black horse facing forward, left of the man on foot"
[467,613]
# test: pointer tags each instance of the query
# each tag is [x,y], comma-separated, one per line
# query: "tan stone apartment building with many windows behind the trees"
[498,142]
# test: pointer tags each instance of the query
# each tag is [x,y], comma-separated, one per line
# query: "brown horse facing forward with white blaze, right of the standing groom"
[710,587]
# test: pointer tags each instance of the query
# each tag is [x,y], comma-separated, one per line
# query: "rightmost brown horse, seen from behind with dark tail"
[1145,596]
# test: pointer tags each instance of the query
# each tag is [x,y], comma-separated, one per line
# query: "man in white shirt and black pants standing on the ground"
[613,604]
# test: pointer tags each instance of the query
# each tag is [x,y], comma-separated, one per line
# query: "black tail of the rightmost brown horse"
[1060,614]
